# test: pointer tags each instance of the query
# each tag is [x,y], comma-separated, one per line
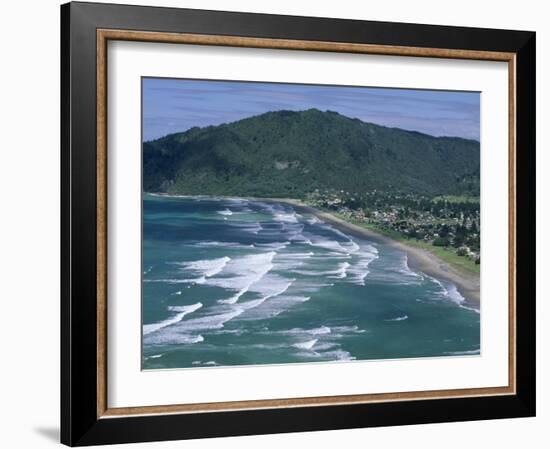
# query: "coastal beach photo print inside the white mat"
[301,223]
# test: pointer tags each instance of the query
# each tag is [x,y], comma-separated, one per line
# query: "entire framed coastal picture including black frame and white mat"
[280,224]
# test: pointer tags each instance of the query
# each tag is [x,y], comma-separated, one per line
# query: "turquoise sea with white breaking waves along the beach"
[239,282]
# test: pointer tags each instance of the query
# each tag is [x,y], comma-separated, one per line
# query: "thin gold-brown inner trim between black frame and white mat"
[105,35]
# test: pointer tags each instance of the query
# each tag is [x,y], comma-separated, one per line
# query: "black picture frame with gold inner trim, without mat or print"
[86,29]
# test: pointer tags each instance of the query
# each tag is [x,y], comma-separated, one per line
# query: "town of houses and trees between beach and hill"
[449,222]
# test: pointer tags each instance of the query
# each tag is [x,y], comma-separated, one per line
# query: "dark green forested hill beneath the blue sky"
[289,154]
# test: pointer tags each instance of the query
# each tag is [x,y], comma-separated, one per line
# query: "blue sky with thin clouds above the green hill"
[175,105]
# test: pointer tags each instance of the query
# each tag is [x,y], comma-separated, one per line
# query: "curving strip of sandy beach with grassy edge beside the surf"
[418,259]
